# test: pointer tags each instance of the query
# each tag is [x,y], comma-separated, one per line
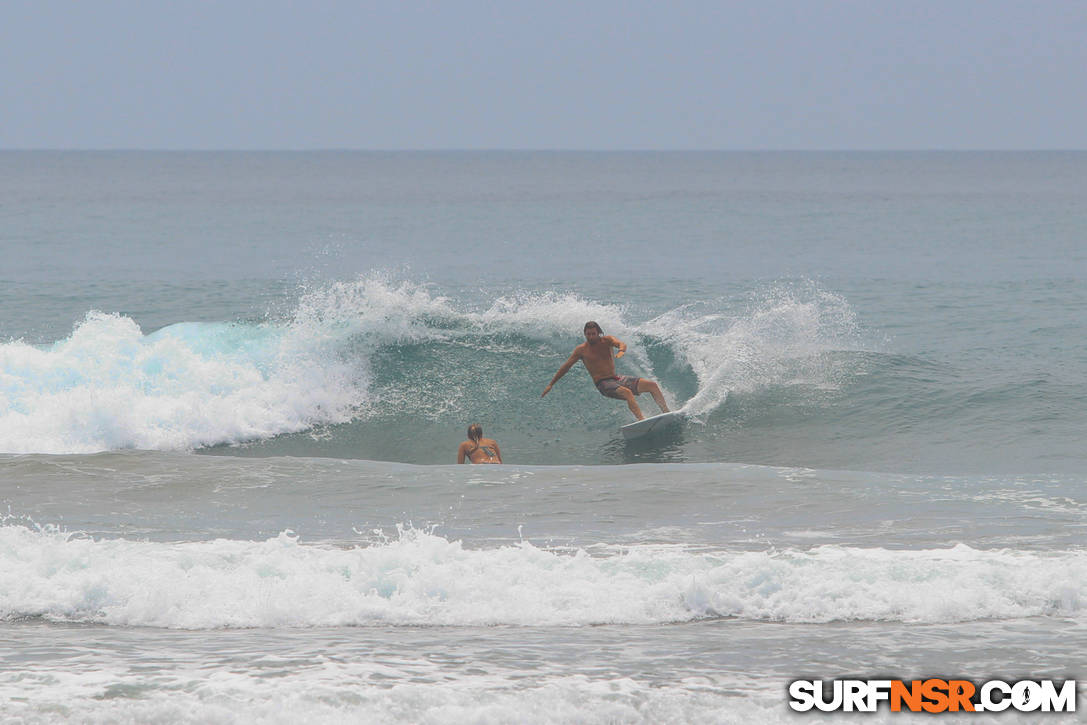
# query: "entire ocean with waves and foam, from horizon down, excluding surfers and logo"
[232,389]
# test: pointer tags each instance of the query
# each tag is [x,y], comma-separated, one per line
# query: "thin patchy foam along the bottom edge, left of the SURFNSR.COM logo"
[369,693]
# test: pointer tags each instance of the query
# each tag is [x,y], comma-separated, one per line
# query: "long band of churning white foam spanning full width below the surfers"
[424,580]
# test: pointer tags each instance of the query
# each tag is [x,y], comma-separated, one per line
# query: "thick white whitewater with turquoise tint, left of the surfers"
[110,387]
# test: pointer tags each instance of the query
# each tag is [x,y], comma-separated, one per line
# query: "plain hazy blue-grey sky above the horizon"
[557,74]
